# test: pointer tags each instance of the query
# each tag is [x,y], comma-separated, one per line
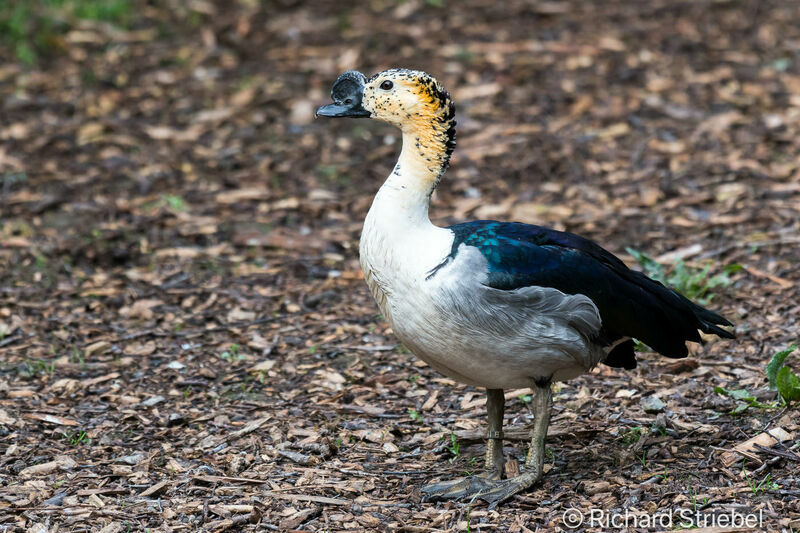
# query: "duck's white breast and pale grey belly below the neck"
[465,330]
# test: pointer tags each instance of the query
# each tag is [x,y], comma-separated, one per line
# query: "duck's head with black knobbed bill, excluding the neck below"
[409,99]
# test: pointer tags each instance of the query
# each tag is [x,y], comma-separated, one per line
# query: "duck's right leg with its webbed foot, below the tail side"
[534,463]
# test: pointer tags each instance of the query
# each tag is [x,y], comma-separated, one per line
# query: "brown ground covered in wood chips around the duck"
[186,341]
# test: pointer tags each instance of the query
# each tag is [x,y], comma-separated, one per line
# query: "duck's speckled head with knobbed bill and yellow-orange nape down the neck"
[411,100]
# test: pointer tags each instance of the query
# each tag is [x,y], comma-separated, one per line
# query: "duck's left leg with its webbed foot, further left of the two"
[493,467]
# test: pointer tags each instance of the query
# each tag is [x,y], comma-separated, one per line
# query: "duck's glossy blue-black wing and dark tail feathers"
[630,303]
